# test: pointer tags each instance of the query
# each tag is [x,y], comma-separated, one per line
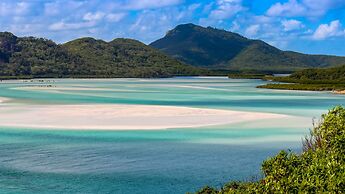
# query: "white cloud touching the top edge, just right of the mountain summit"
[226,9]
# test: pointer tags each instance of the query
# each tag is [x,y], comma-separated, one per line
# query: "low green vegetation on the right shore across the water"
[331,79]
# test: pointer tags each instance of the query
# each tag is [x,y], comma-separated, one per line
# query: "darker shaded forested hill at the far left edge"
[34,57]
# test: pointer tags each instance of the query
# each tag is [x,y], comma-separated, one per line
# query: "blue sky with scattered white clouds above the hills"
[308,26]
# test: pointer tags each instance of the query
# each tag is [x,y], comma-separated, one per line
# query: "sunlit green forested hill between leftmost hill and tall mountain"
[127,58]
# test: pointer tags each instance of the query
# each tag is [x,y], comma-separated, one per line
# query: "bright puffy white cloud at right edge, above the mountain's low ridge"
[328,30]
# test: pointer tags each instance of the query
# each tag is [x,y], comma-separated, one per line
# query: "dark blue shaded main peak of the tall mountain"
[199,46]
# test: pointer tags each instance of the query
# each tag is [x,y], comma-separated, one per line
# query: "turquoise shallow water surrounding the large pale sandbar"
[163,161]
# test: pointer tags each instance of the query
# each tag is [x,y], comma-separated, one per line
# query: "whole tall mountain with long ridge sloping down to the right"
[219,49]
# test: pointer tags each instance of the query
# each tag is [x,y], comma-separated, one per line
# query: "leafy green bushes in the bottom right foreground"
[320,168]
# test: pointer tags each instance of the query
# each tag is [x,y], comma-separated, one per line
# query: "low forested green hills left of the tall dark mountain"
[30,57]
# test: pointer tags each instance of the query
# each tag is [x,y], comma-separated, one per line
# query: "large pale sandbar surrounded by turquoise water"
[120,117]
